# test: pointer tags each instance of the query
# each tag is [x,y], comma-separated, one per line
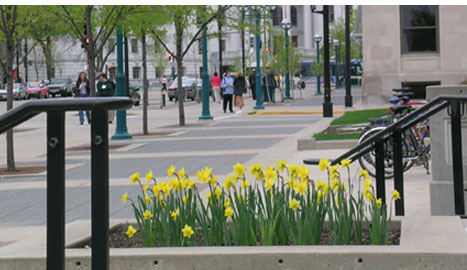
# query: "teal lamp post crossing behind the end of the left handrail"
[121,132]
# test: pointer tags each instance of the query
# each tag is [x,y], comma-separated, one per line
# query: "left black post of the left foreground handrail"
[56,190]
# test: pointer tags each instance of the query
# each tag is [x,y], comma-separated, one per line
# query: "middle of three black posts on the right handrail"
[398,170]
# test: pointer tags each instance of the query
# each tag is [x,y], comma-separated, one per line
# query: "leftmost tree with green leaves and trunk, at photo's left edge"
[14,24]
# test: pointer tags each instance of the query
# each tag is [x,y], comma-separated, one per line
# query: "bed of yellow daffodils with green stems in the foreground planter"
[282,205]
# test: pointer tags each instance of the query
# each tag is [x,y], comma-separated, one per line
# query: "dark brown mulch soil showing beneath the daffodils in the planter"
[118,238]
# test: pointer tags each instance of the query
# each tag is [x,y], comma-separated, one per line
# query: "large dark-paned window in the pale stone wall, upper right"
[419,29]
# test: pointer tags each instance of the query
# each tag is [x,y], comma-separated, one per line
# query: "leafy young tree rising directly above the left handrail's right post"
[99,23]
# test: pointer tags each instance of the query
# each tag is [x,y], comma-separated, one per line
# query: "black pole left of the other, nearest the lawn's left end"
[327,105]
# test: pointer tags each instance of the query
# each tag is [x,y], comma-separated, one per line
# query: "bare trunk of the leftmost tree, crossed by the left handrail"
[10,157]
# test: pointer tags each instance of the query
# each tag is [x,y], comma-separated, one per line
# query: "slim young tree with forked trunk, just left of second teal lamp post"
[182,18]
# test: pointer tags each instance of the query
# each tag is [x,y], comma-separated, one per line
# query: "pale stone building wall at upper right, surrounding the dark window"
[419,45]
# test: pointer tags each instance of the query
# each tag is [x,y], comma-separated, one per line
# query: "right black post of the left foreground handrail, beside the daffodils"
[100,189]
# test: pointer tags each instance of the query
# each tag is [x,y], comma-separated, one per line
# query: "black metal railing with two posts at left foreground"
[55,109]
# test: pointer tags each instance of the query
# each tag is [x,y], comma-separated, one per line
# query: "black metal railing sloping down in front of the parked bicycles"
[455,106]
